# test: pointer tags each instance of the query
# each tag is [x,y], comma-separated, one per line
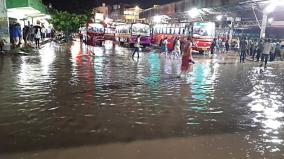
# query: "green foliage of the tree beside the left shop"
[67,22]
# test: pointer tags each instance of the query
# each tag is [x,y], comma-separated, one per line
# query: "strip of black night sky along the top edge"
[81,5]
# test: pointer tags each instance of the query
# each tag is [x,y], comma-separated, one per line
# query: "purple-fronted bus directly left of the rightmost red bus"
[127,34]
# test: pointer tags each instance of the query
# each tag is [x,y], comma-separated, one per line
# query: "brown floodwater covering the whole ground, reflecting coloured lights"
[79,102]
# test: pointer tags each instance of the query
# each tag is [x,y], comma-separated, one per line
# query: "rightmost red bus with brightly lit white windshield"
[202,33]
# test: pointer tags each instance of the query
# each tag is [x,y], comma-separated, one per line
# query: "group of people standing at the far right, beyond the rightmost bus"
[264,49]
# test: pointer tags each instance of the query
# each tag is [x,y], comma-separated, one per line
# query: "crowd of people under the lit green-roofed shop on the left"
[30,34]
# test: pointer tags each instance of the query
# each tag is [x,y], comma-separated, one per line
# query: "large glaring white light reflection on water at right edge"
[266,104]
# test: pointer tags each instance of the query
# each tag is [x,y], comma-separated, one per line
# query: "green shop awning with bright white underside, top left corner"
[25,8]
